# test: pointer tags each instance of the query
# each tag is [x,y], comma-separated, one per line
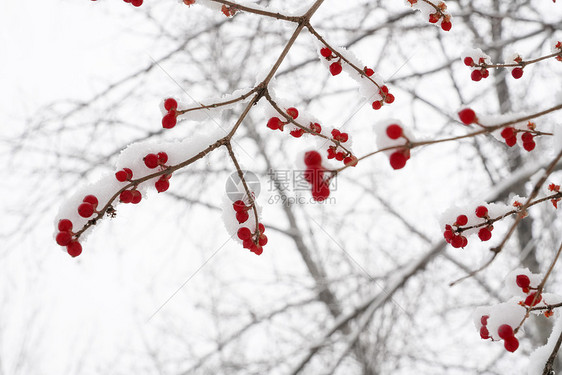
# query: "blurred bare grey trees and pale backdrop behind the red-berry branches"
[357,285]
